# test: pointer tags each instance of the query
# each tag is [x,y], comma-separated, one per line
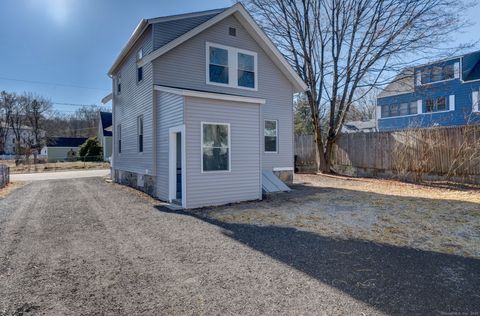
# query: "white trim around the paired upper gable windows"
[232,66]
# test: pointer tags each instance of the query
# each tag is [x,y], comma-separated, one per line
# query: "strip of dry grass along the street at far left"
[54,166]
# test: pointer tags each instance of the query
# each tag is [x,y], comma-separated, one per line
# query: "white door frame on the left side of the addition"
[172,164]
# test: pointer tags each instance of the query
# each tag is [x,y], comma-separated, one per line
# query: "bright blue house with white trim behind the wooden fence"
[442,93]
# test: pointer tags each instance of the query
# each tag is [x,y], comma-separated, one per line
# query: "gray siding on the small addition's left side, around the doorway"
[170,114]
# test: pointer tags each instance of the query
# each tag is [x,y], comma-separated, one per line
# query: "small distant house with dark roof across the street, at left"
[62,148]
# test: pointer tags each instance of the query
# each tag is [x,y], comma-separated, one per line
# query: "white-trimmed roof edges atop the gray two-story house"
[214,16]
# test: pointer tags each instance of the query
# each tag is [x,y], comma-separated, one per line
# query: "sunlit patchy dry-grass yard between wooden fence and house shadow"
[381,211]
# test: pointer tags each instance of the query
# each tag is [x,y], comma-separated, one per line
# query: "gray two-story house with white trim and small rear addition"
[202,109]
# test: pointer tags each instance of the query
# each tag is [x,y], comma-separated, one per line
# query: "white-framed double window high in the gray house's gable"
[232,67]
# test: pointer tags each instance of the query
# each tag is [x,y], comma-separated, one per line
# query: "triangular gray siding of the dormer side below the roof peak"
[165,32]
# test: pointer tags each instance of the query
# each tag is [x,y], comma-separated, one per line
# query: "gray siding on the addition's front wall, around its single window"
[243,182]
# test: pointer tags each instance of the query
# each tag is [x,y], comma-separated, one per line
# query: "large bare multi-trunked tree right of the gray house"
[339,46]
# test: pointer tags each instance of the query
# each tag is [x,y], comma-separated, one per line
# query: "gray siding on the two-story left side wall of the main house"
[135,99]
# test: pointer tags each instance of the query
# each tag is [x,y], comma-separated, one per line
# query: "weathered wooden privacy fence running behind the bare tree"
[452,152]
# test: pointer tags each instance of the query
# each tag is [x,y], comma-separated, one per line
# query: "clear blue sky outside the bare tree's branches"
[62,49]
